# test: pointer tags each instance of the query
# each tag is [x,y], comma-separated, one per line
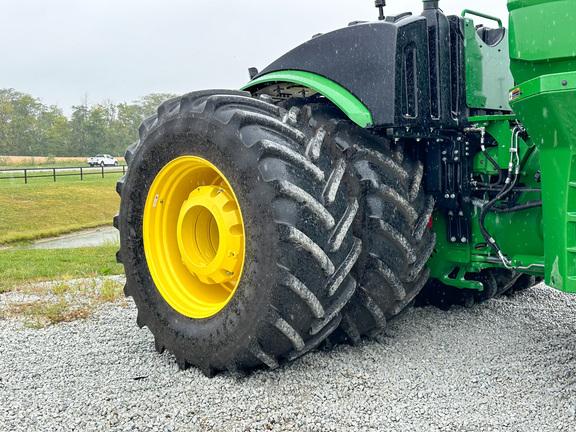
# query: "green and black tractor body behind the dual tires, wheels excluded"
[445,92]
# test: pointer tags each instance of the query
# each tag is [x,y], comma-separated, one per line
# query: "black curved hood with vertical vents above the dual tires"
[385,66]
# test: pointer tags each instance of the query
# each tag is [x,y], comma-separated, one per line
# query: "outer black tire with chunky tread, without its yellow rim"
[294,188]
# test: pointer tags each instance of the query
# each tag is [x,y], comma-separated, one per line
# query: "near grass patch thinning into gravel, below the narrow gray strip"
[77,290]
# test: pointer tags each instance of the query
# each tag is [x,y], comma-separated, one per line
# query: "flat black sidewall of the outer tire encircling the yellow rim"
[228,330]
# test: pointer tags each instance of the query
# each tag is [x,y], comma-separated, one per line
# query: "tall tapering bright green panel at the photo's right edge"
[544,65]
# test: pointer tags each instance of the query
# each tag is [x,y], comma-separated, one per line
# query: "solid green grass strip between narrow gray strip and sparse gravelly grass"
[19,267]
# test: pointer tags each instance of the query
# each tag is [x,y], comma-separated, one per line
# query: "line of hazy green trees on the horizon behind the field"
[30,128]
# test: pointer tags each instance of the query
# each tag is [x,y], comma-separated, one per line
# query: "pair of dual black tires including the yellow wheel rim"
[251,233]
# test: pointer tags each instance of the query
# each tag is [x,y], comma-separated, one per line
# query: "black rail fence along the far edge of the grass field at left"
[30,173]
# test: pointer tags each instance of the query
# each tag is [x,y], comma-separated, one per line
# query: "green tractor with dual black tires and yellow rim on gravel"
[416,158]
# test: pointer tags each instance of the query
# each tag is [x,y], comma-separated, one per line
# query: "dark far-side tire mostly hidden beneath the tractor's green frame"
[494,281]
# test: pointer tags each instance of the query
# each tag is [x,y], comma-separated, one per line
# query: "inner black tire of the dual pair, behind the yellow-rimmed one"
[394,213]
